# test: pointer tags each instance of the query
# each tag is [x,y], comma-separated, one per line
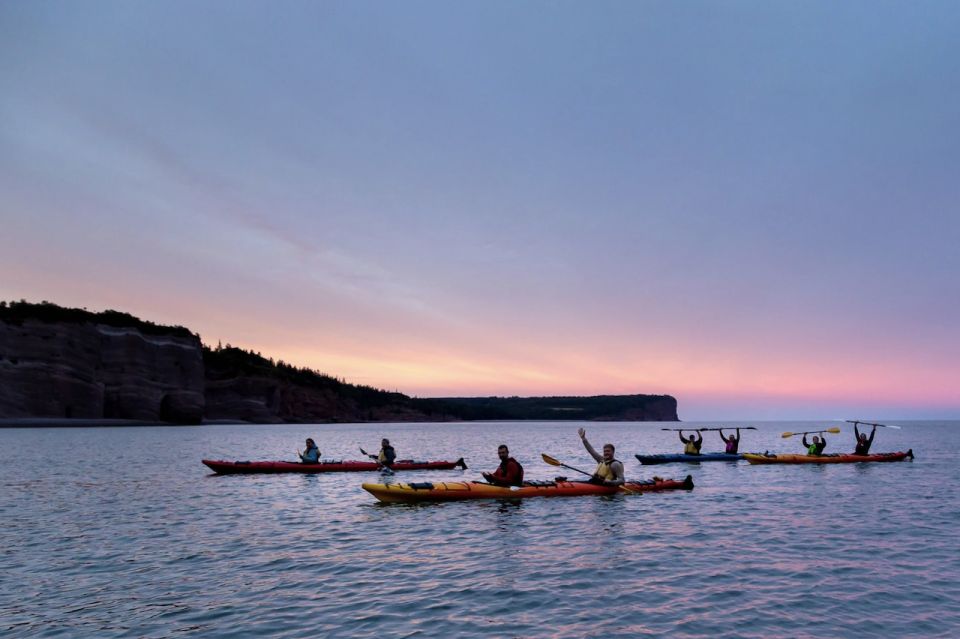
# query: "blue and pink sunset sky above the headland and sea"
[751,206]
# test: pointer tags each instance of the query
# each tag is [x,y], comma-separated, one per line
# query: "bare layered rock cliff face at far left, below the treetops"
[96,371]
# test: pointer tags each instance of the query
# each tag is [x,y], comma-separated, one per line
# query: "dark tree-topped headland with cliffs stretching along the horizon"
[71,364]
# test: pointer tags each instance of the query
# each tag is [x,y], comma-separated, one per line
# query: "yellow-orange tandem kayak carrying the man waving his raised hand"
[462,490]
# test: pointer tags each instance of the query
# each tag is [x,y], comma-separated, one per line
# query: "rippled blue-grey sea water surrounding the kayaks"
[132,537]
